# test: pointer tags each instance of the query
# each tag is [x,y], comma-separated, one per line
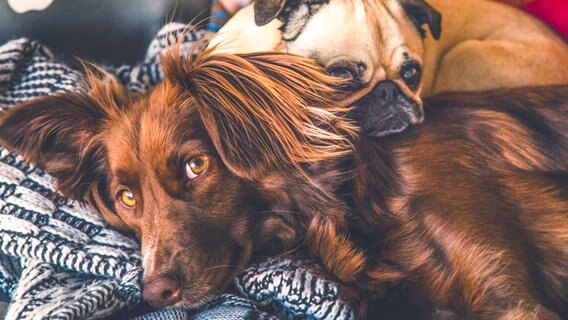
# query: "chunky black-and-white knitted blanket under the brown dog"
[60,260]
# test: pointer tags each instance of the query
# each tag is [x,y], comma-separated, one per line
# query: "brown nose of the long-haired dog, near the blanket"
[161,291]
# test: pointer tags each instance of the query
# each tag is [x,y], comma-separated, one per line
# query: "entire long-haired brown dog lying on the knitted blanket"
[466,214]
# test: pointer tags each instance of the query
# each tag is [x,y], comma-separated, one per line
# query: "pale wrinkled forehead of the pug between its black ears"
[368,29]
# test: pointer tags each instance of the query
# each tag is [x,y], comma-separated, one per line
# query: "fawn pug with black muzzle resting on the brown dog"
[472,45]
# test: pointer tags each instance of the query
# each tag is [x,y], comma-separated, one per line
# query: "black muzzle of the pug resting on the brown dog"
[386,110]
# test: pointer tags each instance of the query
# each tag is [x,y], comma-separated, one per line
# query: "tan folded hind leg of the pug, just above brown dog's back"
[526,63]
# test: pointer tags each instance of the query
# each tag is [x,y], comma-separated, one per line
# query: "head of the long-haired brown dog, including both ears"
[196,167]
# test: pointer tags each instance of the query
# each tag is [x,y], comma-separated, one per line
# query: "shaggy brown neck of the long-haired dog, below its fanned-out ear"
[337,213]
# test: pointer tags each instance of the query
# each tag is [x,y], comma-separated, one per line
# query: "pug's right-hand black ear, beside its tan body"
[422,13]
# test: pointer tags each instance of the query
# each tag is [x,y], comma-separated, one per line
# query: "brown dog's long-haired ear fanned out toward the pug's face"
[264,111]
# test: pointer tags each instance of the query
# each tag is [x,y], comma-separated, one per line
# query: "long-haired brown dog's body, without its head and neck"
[476,215]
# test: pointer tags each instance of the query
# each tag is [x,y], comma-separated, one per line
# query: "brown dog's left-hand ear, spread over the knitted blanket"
[58,133]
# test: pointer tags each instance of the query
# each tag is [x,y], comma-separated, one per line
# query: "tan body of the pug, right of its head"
[486,45]
